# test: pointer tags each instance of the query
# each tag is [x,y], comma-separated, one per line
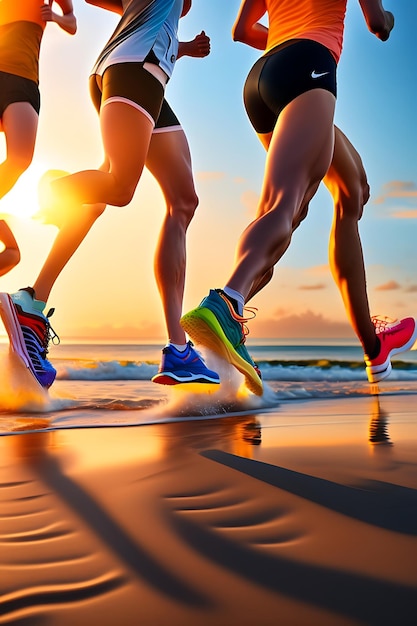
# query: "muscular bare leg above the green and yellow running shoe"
[299,155]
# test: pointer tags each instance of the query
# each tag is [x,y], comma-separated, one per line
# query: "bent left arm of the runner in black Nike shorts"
[247,28]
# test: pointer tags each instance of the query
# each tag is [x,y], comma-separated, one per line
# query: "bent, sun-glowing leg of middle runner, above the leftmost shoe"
[126,136]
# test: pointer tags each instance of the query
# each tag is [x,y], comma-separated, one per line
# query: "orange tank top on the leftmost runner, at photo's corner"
[21,30]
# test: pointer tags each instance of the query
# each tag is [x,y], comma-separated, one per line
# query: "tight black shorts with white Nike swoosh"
[281,75]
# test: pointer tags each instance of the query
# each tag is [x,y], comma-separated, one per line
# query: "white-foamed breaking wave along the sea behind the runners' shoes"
[308,370]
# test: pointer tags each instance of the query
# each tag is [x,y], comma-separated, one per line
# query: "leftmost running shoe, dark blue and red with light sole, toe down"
[29,332]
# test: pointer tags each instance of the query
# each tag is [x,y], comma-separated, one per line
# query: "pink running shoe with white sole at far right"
[395,337]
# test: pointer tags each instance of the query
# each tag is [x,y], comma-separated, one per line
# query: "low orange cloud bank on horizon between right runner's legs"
[306,325]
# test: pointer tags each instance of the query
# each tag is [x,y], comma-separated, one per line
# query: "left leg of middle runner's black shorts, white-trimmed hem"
[130,83]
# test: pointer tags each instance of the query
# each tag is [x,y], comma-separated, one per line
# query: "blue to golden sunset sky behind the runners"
[108,291]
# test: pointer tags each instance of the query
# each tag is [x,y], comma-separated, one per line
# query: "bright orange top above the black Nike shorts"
[319,20]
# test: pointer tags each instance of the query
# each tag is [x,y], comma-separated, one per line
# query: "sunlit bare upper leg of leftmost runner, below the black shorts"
[20,124]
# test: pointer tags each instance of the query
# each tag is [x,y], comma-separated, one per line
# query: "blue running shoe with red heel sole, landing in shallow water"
[183,367]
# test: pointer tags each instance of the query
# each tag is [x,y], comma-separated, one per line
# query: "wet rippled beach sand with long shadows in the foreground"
[306,515]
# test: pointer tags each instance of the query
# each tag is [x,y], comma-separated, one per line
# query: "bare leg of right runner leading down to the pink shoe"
[347,183]
